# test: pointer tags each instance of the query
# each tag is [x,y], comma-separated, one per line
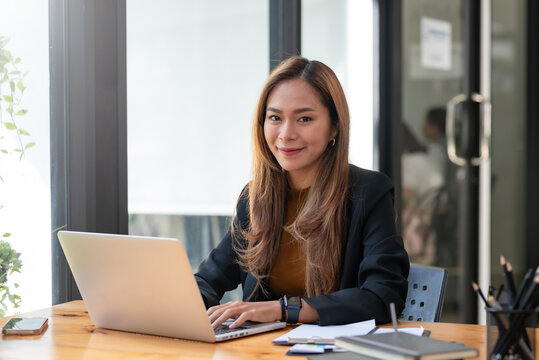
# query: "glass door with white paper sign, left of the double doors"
[441,112]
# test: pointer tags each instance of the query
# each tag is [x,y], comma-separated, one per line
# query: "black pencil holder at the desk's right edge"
[511,333]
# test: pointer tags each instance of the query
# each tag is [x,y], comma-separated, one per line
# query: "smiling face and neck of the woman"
[297,129]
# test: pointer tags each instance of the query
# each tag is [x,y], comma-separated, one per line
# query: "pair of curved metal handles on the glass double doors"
[485,112]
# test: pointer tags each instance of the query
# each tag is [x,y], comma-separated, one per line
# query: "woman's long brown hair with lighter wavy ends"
[321,224]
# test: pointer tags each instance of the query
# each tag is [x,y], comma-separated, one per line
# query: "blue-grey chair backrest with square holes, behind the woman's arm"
[426,288]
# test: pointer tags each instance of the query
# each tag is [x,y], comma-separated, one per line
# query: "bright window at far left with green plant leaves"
[25,185]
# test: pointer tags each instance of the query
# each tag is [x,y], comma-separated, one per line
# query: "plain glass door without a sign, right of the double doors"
[509,168]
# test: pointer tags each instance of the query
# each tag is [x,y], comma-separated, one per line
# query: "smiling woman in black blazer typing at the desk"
[313,238]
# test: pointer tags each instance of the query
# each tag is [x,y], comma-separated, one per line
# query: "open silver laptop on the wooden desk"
[143,285]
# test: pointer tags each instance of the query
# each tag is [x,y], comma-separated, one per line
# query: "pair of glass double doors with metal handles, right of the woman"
[464,155]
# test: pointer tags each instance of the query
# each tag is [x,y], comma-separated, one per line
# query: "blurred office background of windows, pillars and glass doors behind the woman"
[141,116]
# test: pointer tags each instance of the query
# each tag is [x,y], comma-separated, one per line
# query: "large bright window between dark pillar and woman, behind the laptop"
[194,71]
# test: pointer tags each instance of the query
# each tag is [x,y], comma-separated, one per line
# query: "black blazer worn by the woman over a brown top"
[375,264]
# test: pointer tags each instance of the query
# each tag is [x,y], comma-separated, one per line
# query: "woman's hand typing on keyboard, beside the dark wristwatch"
[263,311]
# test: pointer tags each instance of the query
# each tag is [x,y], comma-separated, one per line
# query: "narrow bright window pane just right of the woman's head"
[340,34]
